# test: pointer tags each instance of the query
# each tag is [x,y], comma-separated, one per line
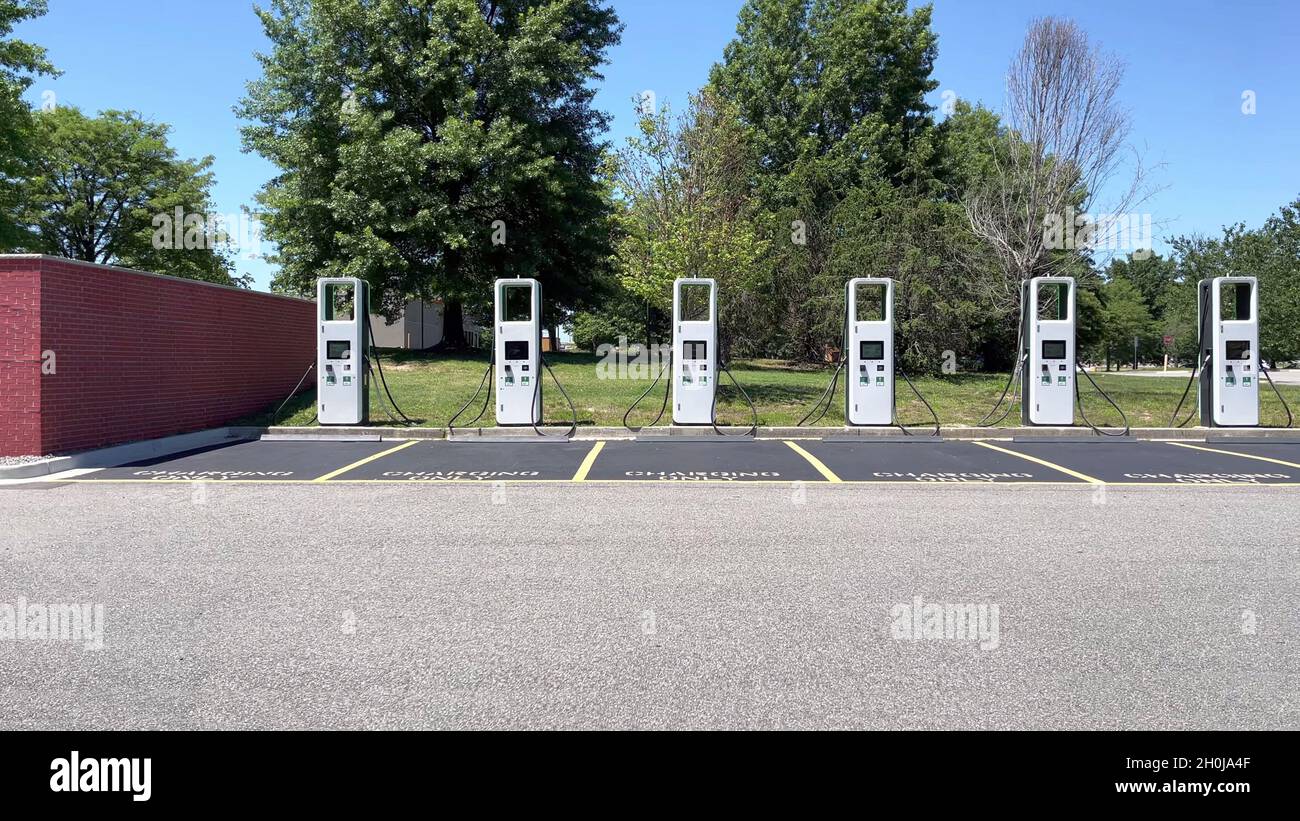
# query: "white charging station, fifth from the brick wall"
[1050,335]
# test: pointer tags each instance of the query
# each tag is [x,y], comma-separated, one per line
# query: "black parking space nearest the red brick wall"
[249,462]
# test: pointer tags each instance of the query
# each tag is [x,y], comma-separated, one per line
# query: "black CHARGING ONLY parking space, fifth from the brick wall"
[1156,463]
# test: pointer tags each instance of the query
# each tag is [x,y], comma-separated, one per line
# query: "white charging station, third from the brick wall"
[695,351]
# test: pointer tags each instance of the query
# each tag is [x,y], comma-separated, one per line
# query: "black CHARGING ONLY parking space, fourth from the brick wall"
[937,463]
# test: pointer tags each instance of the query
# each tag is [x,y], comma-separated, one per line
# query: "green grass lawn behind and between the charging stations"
[432,388]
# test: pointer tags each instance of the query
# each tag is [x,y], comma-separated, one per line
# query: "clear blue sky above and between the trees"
[187,63]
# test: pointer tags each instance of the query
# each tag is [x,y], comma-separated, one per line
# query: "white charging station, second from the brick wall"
[518,351]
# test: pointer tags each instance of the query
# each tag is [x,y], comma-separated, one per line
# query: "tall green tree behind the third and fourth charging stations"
[833,93]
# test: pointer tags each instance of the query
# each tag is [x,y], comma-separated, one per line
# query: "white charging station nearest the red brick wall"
[343,392]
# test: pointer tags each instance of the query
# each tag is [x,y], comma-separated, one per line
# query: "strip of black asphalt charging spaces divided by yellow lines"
[713,461]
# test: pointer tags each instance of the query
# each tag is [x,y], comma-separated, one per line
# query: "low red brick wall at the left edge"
[140,357]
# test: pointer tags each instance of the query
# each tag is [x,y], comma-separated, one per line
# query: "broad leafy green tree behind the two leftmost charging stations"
[432,146]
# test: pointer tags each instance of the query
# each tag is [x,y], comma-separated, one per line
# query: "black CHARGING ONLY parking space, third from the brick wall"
[704,461]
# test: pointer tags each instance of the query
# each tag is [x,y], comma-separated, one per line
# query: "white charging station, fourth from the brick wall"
[870,388]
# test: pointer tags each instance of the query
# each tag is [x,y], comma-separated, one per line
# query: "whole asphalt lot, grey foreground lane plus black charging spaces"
[660,585]
